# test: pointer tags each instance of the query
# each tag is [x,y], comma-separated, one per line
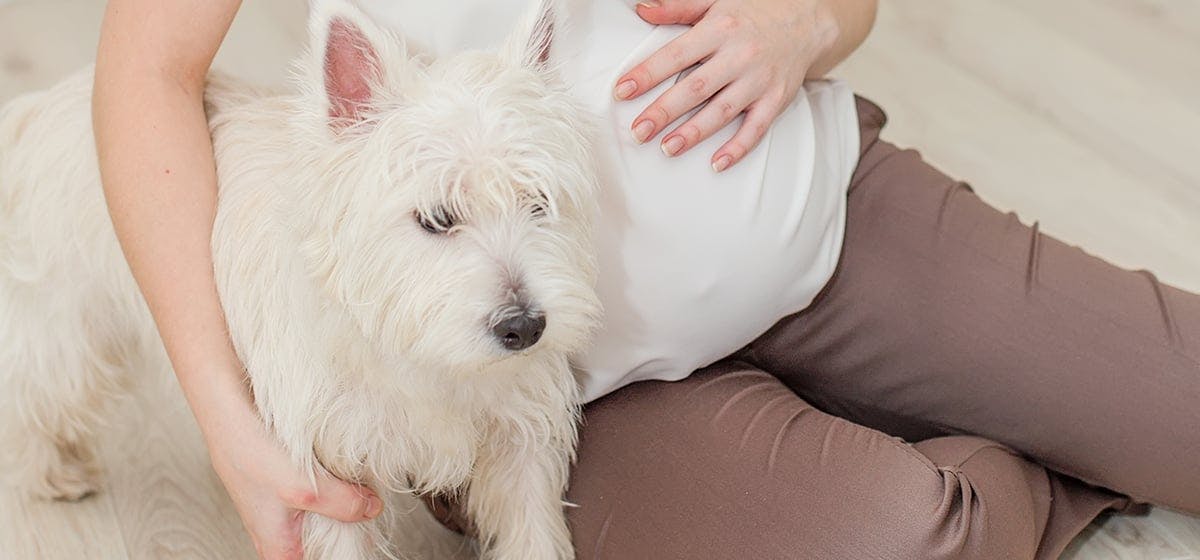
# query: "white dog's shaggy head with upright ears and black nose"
[451,200]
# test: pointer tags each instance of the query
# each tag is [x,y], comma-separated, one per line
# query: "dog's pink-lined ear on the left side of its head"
[350,62]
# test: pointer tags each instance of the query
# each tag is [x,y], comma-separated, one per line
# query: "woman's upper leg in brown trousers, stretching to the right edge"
[949,317]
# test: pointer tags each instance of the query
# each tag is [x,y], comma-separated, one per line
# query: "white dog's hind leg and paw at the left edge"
[65,357]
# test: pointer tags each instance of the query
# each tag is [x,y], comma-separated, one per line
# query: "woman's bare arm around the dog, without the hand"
[160,182]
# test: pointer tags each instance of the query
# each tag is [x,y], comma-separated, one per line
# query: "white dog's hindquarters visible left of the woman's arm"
[71,317]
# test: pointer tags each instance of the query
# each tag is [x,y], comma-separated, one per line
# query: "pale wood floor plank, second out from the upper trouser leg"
[1087,95]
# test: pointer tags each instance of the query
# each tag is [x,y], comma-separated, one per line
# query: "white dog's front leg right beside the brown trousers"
[517,497]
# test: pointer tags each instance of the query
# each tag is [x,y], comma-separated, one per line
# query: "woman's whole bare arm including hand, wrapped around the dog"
[160,182]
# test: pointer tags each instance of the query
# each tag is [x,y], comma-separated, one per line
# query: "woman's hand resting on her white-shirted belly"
[753,58]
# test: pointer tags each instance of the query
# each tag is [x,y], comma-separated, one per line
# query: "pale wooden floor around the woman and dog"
[1078,113]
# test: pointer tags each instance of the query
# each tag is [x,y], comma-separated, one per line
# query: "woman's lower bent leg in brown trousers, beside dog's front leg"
[733,465]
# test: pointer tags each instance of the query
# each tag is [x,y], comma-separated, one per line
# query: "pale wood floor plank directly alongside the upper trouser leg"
[1021,160]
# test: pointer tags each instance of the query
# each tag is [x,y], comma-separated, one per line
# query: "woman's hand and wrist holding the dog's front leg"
[272,496]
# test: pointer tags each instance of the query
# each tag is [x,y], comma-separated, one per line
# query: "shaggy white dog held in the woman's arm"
[404,255]
